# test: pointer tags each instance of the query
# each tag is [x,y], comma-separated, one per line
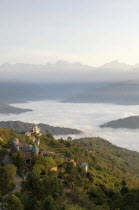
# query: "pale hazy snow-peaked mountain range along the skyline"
[63,72]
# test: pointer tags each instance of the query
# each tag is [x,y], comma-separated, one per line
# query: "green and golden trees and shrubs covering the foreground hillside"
[112,180]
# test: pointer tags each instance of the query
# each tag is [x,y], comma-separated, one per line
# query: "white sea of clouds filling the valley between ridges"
[86,117]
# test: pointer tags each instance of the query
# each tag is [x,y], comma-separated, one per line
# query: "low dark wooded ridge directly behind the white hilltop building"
[22,127]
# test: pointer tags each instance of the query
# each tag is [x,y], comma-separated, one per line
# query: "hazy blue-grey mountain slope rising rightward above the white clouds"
[124,93]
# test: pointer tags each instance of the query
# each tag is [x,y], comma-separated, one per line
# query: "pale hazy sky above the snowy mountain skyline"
[89,31]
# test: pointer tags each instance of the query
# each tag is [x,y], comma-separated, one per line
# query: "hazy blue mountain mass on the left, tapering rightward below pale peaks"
[15,92]
